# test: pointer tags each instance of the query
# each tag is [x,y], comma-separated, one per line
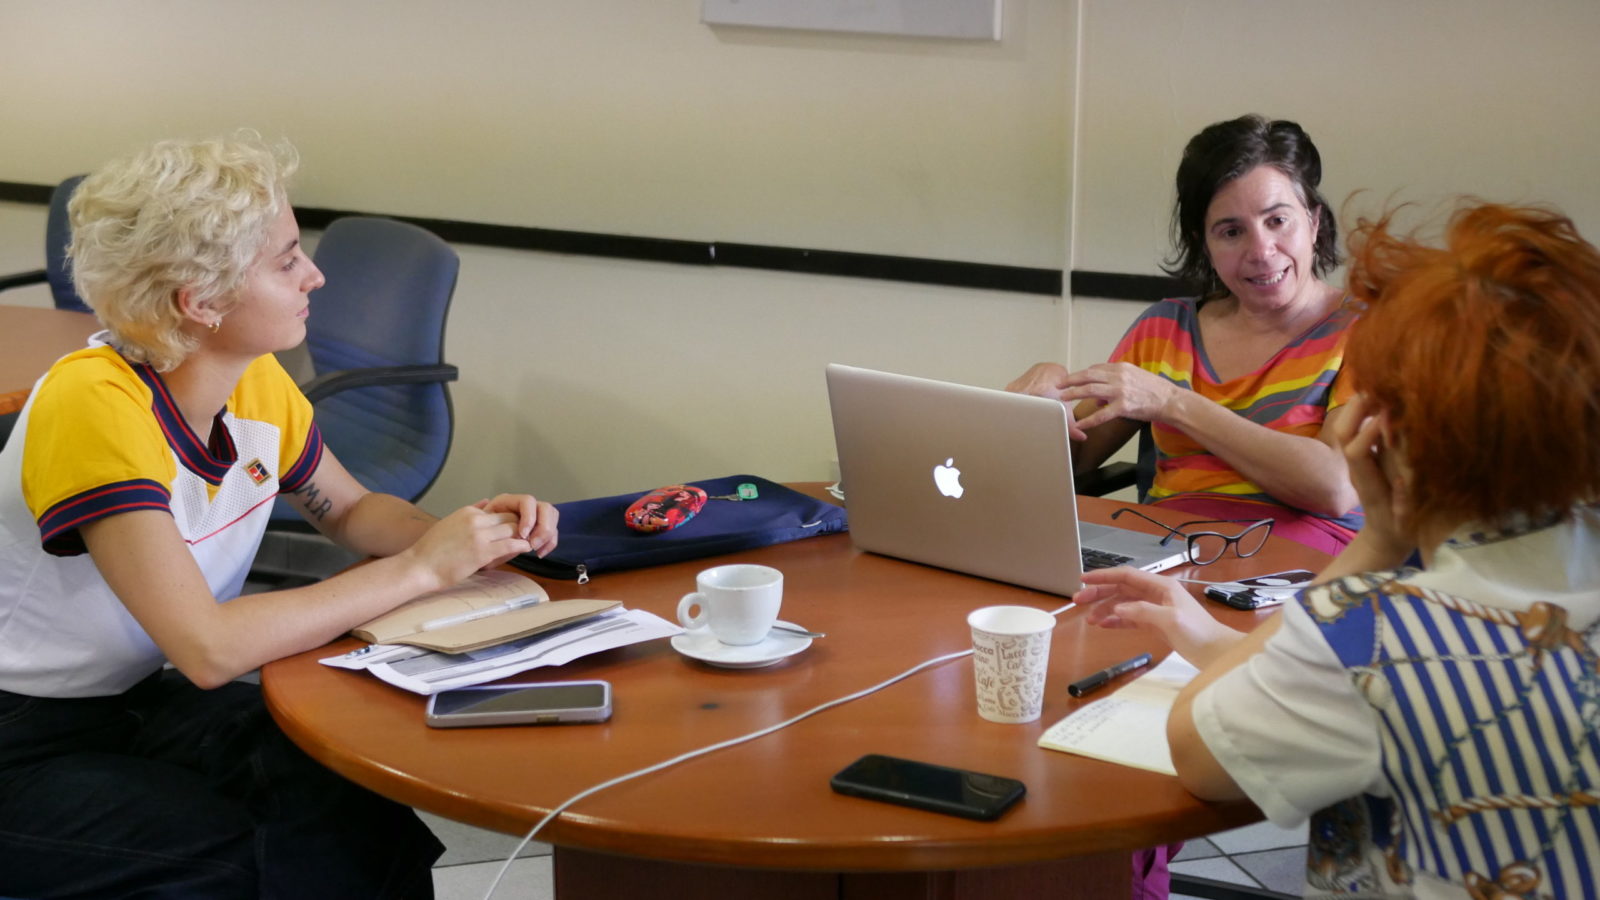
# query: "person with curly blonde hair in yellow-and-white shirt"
[134,496]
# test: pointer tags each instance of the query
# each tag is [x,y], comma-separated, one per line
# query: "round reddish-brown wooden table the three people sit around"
[761,819]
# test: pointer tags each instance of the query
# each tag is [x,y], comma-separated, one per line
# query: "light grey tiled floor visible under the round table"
[1257,856]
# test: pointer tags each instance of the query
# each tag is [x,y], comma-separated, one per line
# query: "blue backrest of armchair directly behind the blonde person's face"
[385,305]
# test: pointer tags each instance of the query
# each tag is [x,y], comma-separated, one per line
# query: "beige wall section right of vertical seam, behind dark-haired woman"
[1414,102]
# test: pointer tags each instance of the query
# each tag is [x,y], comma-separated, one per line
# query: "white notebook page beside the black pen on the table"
[1130,726]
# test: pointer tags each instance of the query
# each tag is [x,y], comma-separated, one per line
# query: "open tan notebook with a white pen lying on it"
[404,624]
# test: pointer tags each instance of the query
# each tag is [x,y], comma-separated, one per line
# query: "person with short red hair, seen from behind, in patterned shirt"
[1439,725]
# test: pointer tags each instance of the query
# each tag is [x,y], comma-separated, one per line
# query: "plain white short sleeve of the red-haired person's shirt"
[1290,728]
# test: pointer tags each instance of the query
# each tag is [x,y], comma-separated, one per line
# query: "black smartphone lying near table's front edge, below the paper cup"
[924,785]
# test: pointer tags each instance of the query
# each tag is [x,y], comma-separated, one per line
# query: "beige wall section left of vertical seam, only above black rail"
[609,116]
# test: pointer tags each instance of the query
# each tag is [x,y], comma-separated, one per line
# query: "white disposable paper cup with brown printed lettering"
[1010,656]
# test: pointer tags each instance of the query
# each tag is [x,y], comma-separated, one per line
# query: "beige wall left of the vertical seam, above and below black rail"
[586,376]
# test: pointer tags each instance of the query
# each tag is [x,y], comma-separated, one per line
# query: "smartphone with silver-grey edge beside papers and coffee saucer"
[546,704]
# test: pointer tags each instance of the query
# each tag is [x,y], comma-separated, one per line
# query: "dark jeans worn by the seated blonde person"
[177,792]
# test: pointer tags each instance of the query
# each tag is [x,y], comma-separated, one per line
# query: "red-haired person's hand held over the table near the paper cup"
[1127,598]
